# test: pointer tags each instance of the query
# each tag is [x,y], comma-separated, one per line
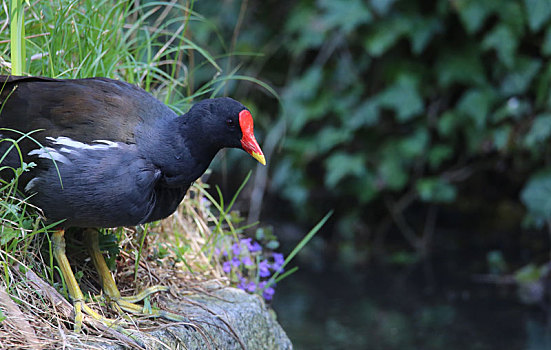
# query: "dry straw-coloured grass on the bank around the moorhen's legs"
[175,254]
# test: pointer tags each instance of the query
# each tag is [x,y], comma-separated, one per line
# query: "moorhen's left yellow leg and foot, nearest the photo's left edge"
[58,242]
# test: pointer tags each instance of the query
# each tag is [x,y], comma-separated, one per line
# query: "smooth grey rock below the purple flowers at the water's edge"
[226,319]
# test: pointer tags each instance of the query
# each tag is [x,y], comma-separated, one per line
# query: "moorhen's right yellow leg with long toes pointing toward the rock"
[110,288]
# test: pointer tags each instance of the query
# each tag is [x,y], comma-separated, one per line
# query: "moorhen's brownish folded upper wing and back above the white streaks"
[84,110]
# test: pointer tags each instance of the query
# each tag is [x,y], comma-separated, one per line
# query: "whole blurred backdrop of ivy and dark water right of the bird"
[425,126]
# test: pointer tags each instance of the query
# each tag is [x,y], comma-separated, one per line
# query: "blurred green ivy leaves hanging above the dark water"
[387,99]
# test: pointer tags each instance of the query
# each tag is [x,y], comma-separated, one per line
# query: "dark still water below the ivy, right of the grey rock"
[405,310]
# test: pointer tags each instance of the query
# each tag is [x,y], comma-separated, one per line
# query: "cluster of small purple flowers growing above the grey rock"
[249,267]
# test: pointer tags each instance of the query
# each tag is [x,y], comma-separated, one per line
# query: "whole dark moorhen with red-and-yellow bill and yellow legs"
[109,154]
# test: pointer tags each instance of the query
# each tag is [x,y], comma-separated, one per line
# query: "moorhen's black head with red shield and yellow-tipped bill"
[227,123]
